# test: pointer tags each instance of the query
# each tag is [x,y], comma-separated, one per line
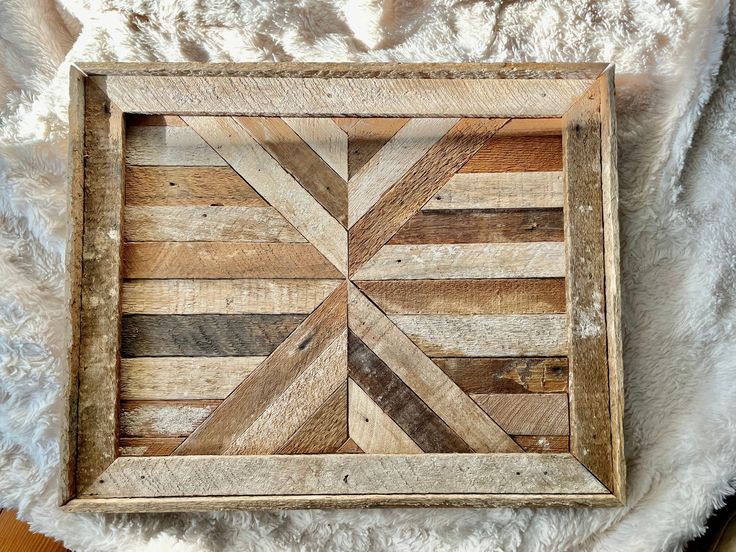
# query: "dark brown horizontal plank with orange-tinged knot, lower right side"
[507,375]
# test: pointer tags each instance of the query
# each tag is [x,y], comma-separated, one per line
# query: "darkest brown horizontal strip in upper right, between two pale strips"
[478,226]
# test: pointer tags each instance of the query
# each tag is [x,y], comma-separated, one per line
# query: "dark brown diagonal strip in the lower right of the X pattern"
[399,402]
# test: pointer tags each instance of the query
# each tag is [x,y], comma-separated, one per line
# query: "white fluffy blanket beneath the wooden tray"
[677,144]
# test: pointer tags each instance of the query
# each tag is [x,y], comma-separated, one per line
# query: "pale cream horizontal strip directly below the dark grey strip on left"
[171,378]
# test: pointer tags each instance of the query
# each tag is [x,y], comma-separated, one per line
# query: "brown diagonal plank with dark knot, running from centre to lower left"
[271,378]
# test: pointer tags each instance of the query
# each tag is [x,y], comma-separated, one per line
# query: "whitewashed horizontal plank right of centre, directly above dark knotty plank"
[481,335]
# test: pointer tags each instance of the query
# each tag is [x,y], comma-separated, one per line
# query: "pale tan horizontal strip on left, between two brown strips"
[207,223]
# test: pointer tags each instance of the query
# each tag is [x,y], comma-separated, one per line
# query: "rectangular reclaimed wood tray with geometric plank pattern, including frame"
[343,285]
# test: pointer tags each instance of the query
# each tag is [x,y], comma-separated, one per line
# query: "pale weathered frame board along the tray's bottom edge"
[345,474]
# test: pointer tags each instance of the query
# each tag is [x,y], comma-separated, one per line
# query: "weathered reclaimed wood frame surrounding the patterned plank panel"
[592,474]
